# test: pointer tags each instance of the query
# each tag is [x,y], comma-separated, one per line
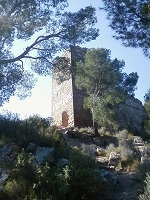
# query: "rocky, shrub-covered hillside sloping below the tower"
[41,162]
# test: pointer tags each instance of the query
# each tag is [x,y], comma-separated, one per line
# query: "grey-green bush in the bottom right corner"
[146,193]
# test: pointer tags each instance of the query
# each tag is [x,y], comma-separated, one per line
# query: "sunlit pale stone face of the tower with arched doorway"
[62,99]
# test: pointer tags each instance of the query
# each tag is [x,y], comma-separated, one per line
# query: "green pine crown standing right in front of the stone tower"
[105,84]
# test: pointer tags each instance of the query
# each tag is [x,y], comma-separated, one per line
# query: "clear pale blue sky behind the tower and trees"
[135,61]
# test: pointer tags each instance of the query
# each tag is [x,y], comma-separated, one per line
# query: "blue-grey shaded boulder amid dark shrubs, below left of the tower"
[44,154]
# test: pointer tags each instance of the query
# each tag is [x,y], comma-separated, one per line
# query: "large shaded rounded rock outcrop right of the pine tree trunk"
[131,115]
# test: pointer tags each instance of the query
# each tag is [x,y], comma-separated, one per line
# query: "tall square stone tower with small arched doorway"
[67,100]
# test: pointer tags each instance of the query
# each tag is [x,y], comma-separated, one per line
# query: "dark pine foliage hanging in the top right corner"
[131,22]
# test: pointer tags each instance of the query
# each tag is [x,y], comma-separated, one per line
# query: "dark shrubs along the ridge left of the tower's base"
[34,129]
